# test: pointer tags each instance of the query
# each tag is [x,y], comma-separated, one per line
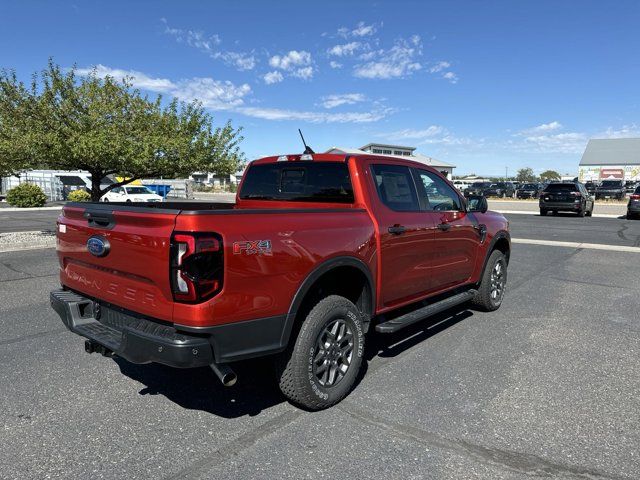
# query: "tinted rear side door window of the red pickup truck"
[395,187]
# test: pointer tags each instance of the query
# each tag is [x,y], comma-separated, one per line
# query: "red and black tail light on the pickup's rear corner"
[197,268]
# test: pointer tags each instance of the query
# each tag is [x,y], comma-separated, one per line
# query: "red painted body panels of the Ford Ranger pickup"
[422,262]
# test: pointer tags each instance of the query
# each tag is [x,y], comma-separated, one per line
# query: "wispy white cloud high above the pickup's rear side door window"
[398,61]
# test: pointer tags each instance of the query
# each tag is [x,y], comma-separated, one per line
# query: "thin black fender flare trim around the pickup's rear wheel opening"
[316,273]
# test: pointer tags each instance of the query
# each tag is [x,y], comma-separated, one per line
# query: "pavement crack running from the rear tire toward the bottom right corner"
[522,463]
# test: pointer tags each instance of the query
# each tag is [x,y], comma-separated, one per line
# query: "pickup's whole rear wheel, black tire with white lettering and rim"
[322,365]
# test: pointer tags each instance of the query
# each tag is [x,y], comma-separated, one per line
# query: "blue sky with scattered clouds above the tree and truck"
[482,85]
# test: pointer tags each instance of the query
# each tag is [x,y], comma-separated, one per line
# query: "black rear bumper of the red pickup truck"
[143,340]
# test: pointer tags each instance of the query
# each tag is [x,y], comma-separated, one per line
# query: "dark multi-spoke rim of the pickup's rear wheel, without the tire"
[333,354]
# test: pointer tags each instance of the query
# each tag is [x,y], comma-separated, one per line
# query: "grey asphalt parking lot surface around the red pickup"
[546,386]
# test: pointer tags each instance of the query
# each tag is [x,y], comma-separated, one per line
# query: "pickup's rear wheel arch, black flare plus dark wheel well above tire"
[353,279]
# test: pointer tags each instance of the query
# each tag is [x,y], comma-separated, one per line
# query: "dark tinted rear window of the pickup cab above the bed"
[298,182]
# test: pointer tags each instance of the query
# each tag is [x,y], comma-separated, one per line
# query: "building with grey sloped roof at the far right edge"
[614,158]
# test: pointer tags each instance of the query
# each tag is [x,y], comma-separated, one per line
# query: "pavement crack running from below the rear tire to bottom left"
[201,467]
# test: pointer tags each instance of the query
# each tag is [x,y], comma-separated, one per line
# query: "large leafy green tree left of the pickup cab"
[105,126]
